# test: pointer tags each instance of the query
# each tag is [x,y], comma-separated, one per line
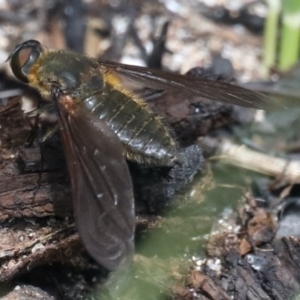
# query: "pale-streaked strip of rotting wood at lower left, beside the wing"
[31,246]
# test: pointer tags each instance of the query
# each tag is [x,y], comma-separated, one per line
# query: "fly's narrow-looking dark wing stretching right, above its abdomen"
[208,89]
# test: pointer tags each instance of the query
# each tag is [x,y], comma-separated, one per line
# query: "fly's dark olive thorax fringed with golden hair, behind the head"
[71,73]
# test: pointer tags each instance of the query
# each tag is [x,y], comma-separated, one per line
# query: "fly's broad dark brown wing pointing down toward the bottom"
[101,187]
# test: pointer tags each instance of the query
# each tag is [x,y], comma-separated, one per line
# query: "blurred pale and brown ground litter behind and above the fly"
[128,31]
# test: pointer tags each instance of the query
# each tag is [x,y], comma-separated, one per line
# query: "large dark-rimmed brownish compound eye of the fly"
[24,57]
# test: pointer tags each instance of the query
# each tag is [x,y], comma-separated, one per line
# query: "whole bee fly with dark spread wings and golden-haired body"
[103,123]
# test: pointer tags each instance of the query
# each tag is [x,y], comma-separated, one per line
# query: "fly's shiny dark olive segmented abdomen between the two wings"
[143,134]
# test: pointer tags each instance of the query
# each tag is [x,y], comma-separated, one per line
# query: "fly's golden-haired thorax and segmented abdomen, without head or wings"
[101,92]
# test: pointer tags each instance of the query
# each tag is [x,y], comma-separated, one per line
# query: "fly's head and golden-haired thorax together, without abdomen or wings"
[66,73]
